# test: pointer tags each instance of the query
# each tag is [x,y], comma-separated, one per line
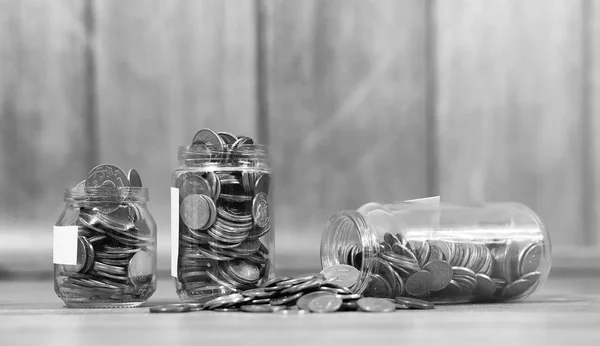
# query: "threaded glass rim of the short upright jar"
[106,195]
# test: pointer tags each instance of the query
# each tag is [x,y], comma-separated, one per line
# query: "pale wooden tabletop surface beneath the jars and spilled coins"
[565,311]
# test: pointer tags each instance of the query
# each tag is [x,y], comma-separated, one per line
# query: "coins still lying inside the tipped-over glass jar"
[446,270]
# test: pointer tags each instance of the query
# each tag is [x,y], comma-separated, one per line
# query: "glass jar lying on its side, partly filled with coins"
[442,253]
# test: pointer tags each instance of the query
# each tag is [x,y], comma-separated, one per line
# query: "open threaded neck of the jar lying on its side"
[350,239]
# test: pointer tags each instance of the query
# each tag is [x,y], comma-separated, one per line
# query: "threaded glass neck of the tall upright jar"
[253,155]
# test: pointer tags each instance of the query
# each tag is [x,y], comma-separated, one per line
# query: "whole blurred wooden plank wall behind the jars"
[359,101]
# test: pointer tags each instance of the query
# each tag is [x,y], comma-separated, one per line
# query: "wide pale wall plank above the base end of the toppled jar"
[509,107]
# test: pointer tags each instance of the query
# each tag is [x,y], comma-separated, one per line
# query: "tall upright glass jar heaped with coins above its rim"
[222,239]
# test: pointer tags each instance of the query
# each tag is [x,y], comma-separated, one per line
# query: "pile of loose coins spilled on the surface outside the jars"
[320,293]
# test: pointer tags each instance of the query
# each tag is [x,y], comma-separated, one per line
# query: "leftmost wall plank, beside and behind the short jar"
[44,124]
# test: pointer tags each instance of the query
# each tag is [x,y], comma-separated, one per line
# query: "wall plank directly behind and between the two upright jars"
[165,70]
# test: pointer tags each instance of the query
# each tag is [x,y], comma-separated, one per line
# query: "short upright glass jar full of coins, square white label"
[105,242]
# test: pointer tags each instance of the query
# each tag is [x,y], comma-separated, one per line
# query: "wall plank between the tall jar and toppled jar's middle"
[347,109]
